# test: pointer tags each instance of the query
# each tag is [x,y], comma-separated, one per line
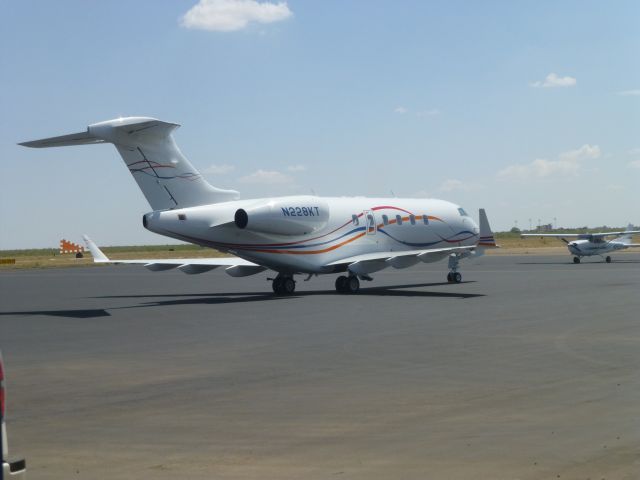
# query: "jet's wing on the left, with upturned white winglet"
[236,266]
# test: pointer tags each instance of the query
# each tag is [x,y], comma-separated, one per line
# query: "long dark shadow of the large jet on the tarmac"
[243,297]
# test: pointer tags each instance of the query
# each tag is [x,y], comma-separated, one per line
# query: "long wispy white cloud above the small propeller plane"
[567,164]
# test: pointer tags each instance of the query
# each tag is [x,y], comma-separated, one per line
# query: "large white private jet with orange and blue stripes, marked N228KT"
[289,235]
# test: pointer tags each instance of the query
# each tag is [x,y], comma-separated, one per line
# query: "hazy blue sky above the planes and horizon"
[531,110]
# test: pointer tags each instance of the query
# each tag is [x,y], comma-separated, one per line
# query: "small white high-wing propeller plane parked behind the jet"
[589,244]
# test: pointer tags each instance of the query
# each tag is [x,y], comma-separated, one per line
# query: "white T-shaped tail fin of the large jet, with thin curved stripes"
[167,179]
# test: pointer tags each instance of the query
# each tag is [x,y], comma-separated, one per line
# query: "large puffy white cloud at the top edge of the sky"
[231,15]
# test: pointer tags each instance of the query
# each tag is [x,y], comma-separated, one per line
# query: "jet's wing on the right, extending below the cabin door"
[373,262]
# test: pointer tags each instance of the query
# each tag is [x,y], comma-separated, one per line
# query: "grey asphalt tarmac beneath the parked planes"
[529,369]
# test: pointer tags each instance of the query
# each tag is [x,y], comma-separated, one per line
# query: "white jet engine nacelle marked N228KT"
[293,216]
